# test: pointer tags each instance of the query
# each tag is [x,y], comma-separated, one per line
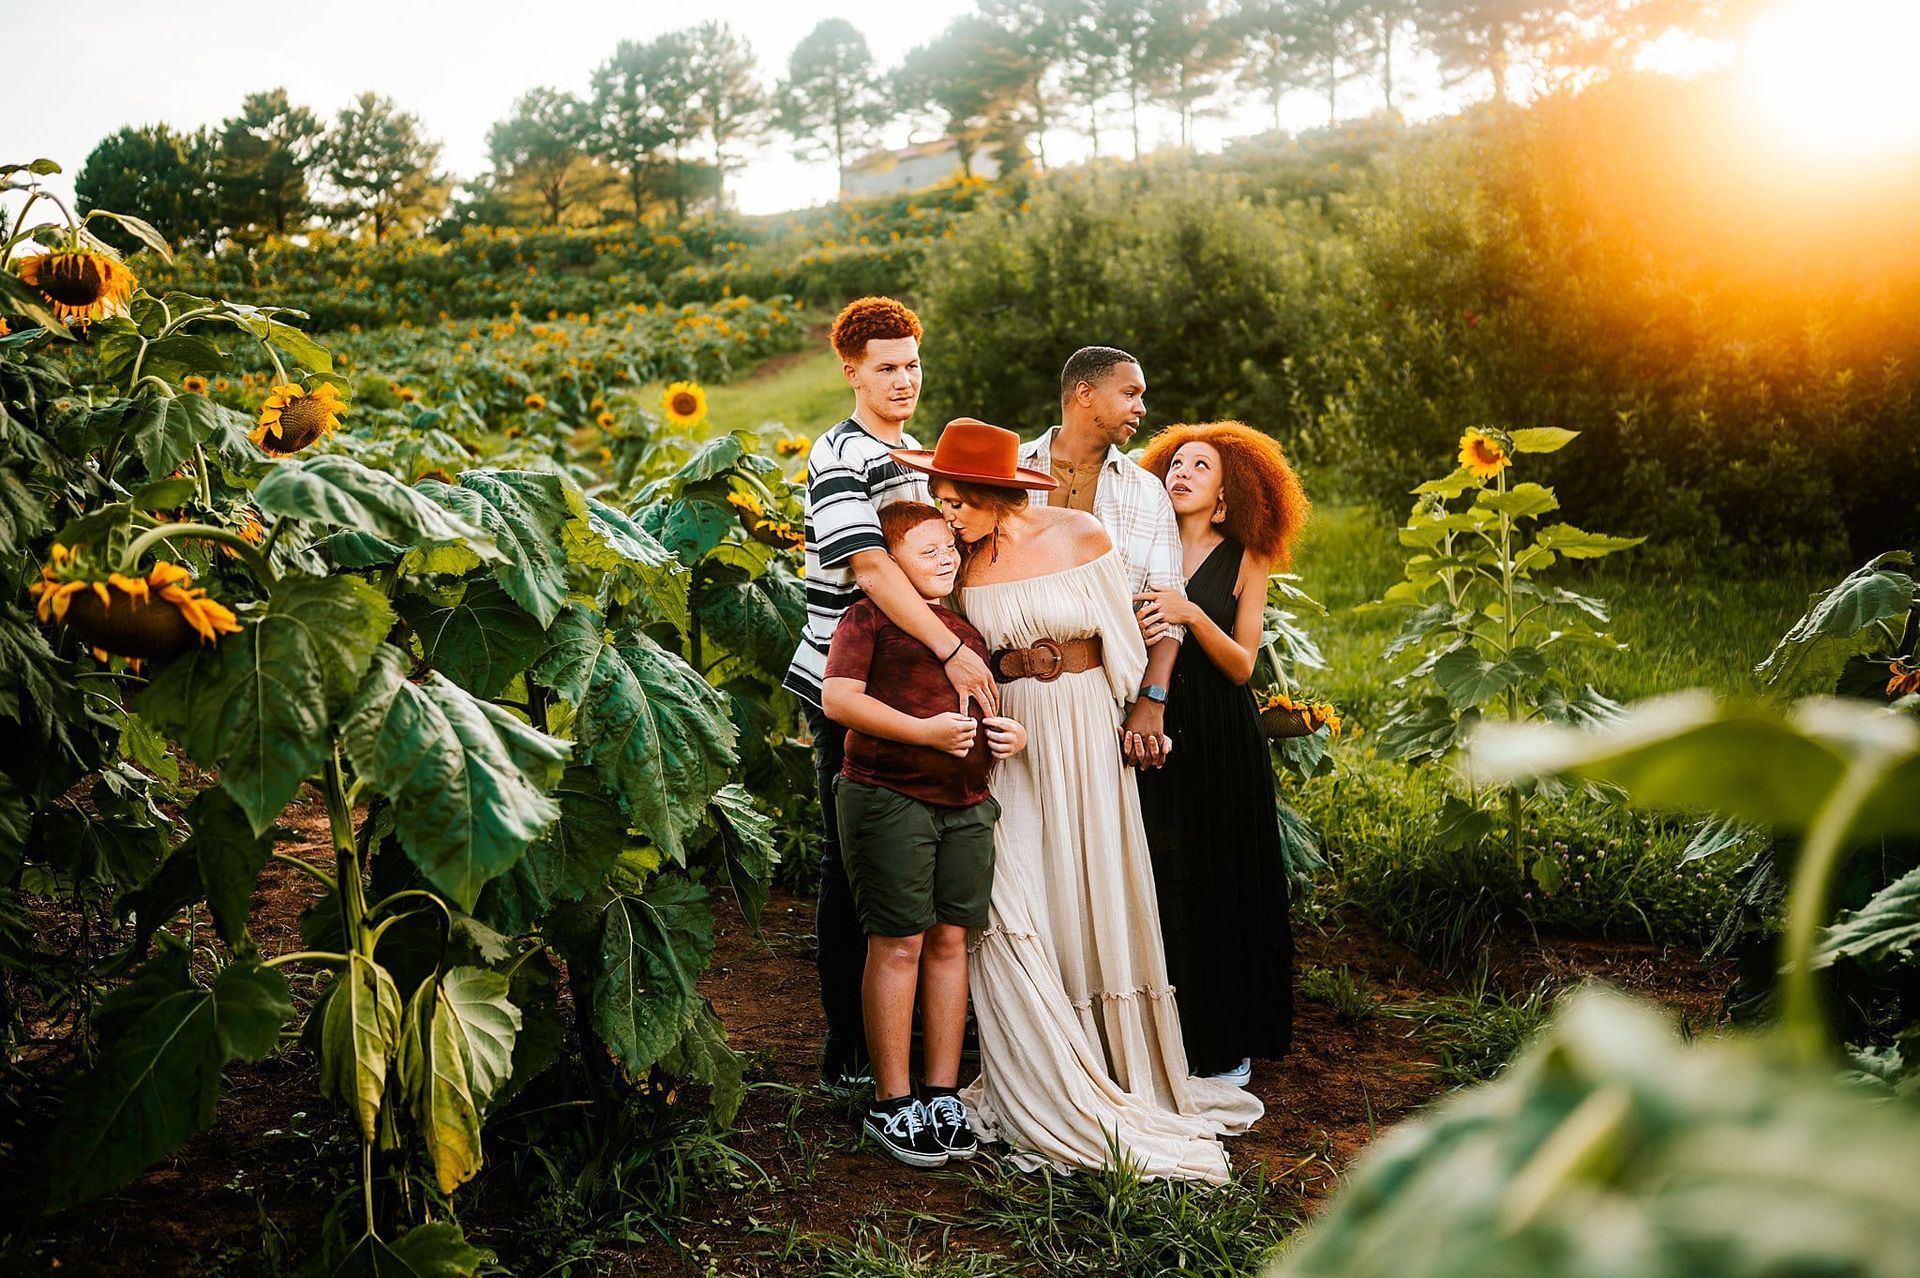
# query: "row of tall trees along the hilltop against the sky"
[667,120]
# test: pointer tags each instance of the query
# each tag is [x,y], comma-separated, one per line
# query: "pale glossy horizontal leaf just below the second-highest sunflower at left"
[343,494]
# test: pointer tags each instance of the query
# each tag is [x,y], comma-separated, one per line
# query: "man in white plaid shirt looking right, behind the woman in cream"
[1103,400]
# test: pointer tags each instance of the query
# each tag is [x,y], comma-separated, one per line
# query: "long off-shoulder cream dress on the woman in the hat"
[1080,1037]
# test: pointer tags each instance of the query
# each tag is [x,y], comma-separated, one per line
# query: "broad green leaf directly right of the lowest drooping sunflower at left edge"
[258,705]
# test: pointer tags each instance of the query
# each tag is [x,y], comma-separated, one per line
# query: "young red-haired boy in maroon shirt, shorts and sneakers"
[917,834]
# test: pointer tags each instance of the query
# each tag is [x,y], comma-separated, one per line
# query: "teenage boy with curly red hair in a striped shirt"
[850,481]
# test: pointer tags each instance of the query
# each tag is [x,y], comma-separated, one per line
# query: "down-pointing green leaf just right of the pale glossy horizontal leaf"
[523,513]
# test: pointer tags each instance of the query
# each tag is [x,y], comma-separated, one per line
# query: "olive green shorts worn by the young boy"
[911,863]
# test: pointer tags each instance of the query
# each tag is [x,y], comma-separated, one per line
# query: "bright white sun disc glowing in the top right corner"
[1836,76]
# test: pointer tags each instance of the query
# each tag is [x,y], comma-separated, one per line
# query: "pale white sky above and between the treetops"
[460,68]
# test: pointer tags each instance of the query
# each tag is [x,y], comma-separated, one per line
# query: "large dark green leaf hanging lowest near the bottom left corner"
[158,1079]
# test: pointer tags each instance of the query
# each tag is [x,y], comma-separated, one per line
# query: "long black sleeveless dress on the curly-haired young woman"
[1218,864]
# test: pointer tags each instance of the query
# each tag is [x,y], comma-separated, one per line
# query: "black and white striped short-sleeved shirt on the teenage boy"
[850,479]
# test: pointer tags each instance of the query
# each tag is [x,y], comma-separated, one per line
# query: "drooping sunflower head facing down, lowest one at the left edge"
[118,615]
